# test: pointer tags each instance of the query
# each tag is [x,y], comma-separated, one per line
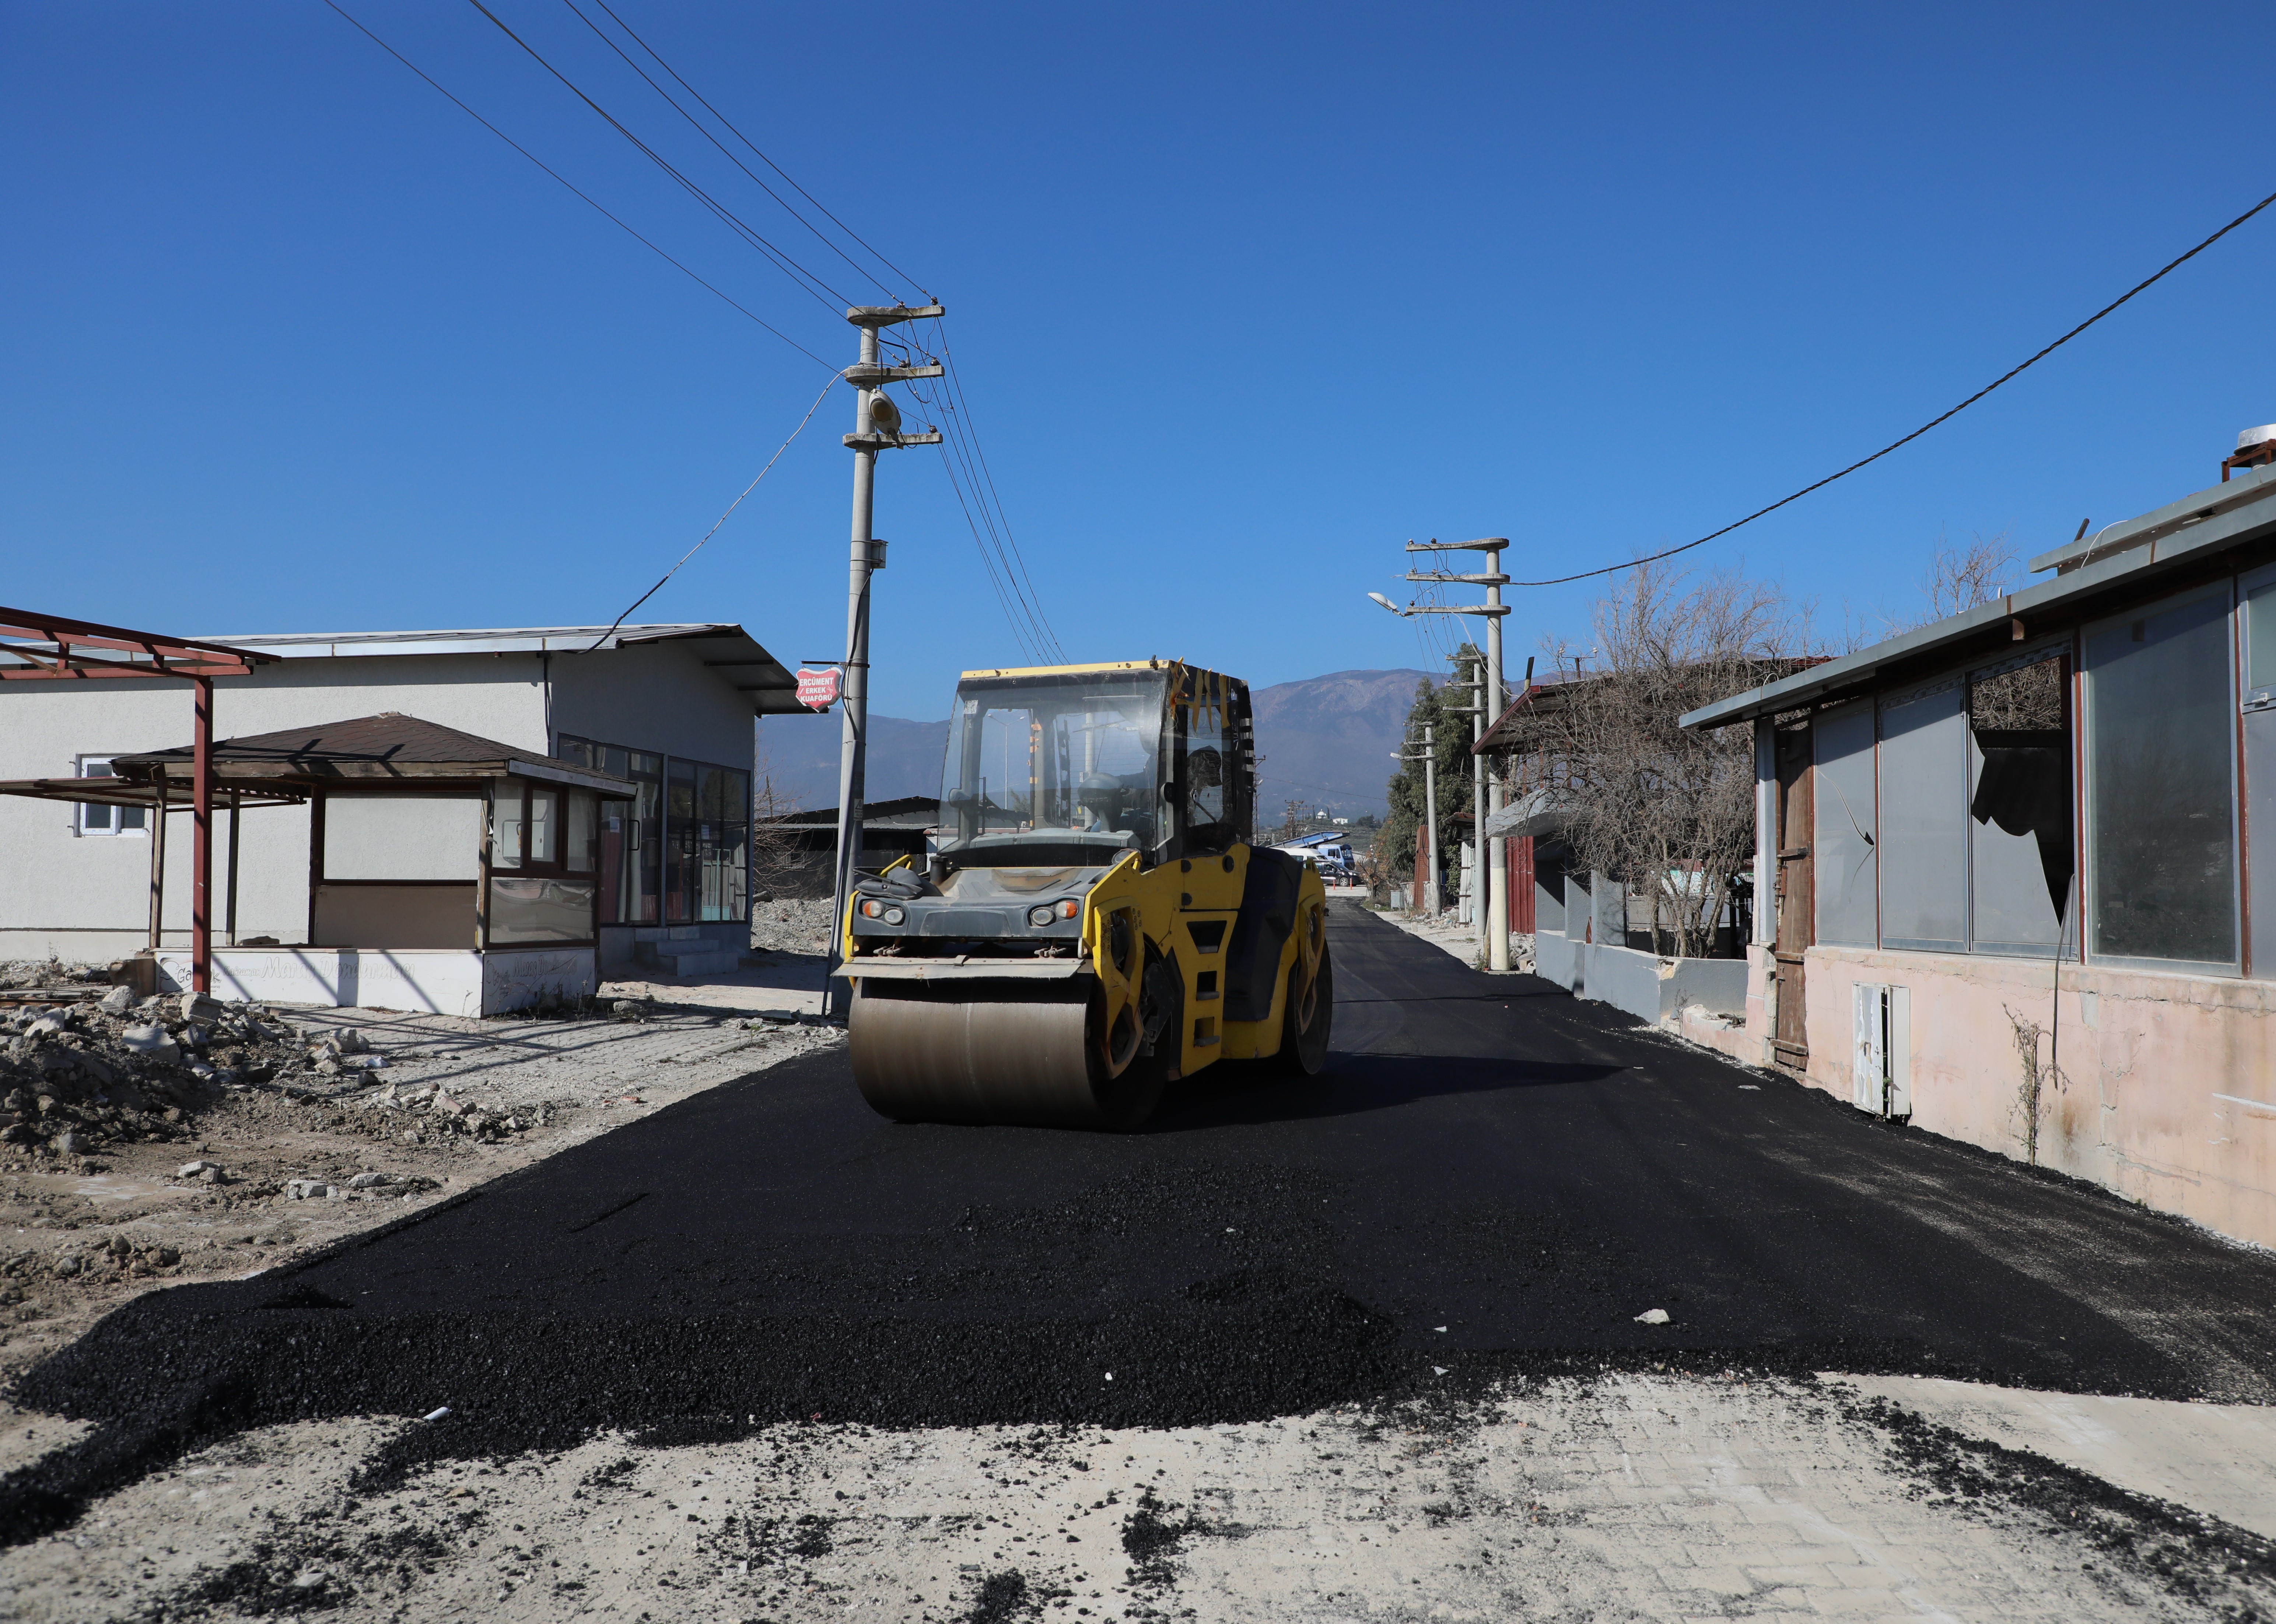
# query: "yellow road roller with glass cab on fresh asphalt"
[1094,920]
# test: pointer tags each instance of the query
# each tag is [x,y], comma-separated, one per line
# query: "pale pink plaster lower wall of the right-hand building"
[2145,1063]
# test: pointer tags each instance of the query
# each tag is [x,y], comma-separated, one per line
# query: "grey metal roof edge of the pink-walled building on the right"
[2159,545]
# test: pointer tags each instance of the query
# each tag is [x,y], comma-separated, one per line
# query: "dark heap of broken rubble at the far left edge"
[76,1077]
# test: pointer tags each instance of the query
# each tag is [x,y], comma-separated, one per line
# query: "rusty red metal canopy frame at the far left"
[63,649]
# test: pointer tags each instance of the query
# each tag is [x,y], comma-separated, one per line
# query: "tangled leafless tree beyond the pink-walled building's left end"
[1669,813]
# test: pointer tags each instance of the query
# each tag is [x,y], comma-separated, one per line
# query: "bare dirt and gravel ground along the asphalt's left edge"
[261,1175]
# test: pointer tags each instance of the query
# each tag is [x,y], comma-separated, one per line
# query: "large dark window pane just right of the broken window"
[2161,786]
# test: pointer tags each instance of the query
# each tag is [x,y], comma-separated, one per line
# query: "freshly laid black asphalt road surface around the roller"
[1492,1179]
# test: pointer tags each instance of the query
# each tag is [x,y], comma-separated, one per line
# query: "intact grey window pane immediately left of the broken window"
[1924,820]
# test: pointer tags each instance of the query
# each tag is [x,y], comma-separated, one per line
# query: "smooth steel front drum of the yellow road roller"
[991,1054]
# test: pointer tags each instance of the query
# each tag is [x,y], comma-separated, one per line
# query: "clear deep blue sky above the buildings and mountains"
[1244,297]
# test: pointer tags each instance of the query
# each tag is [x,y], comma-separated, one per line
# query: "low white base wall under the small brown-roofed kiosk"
[434,981]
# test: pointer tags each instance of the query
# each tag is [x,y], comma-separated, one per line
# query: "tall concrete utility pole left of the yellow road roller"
[877,426]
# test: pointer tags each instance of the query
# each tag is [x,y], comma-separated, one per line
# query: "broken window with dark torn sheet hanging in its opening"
[2020,806]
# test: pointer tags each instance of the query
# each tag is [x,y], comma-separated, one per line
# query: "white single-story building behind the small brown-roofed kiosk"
[663,711]
